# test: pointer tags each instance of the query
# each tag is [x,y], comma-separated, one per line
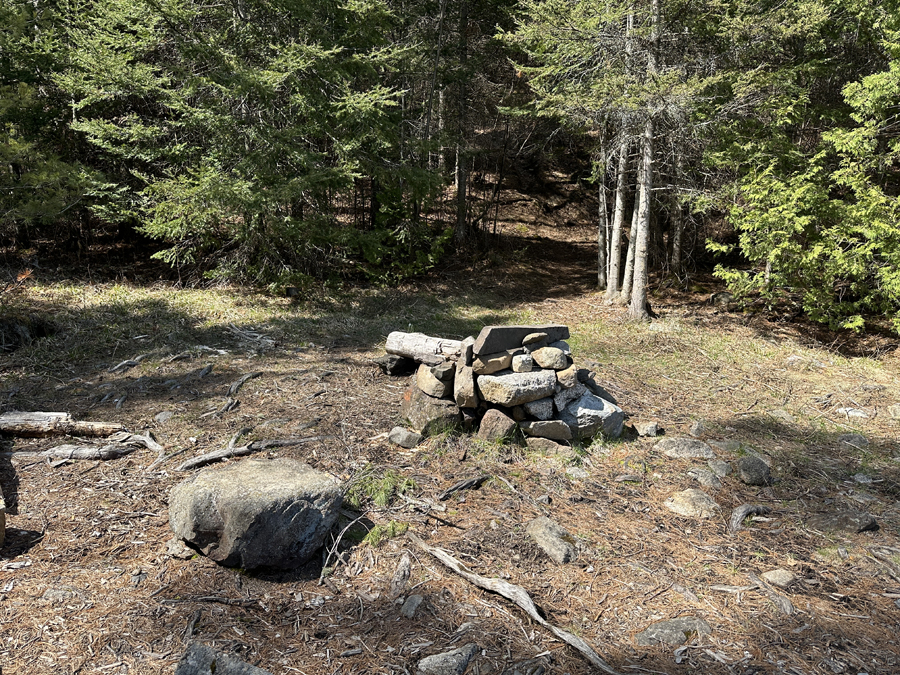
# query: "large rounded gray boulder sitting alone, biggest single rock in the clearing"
[256,512]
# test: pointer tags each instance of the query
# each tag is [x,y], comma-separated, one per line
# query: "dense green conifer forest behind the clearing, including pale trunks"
[293,142]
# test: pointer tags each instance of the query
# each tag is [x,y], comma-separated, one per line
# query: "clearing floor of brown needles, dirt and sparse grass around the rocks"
[87,584]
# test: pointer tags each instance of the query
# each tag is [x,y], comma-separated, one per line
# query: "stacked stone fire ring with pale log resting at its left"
[525,373]
